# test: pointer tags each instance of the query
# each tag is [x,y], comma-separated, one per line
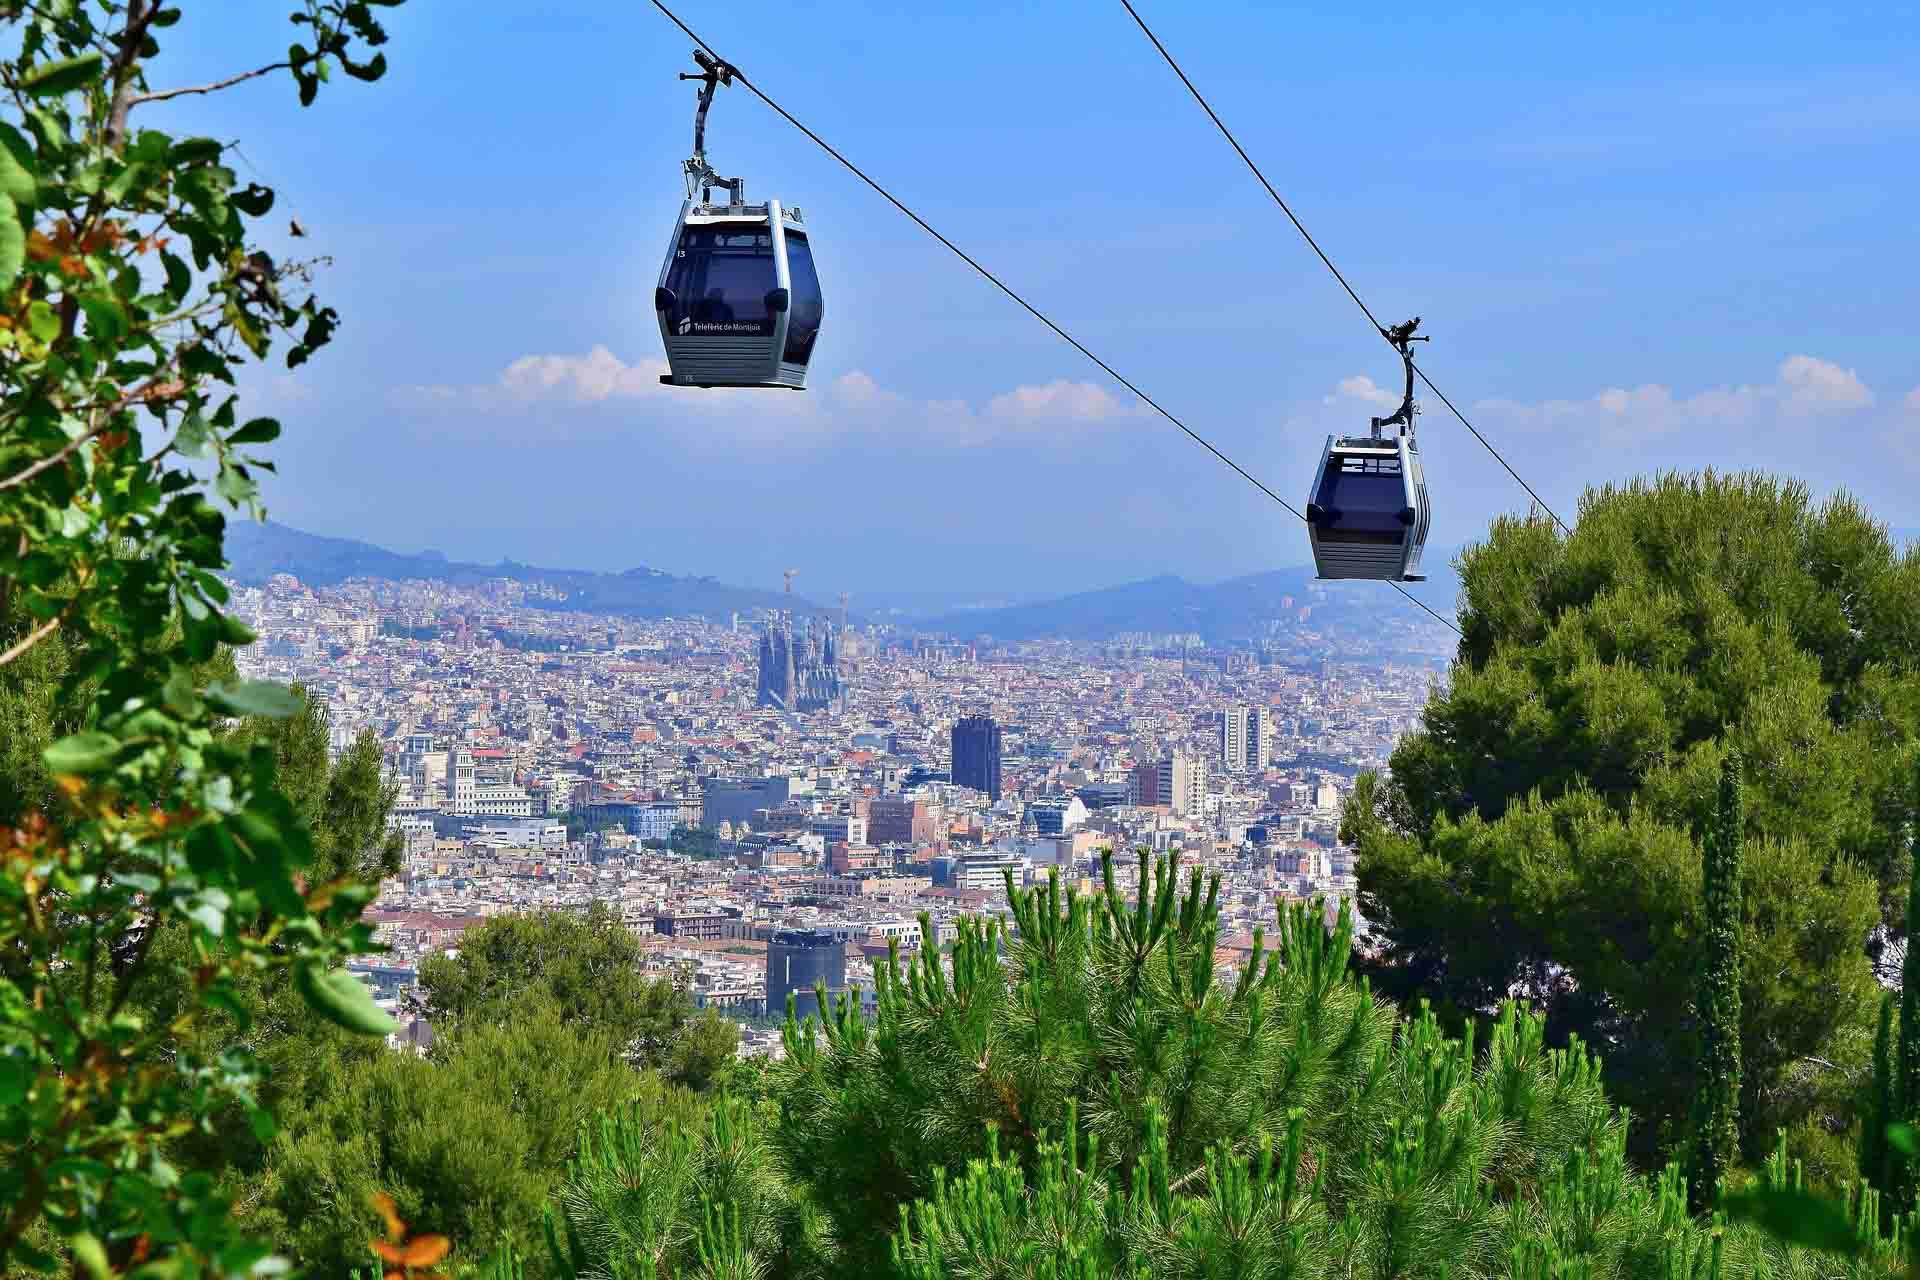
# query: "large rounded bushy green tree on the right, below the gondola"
[1535,834]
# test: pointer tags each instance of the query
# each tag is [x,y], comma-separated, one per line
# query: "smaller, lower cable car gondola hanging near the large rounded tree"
[1368,513]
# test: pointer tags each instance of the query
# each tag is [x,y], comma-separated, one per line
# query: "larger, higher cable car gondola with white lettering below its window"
[738,296]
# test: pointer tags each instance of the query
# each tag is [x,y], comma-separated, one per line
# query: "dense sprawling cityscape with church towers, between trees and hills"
[775,801]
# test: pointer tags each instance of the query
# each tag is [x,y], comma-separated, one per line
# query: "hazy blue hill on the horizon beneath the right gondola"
[1222,613]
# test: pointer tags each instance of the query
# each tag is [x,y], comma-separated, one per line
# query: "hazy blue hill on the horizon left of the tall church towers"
[258,552]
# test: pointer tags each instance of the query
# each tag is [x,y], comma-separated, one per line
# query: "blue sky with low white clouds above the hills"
[1641,241]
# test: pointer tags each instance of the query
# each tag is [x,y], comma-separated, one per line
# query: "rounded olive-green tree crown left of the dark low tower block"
[587,964]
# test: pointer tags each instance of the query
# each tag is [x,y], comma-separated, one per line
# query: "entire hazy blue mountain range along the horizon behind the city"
[1226,611]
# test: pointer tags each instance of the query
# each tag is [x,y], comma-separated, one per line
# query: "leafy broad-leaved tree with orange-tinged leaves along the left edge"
[132,293]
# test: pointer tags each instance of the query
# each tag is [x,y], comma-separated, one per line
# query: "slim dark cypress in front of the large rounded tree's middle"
[1717,1106]
